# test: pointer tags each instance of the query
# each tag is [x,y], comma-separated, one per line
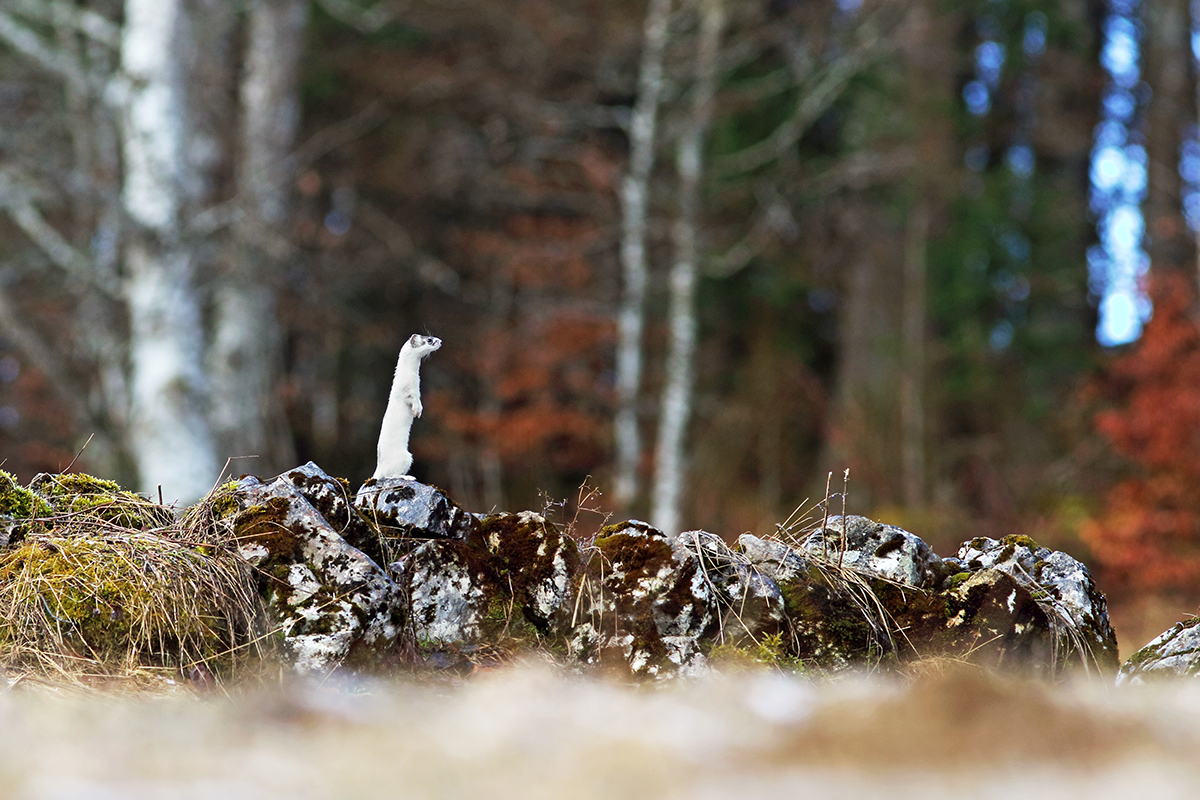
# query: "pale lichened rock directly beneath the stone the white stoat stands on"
[448,593]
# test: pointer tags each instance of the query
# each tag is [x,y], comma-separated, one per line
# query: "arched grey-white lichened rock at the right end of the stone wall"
[1064,588]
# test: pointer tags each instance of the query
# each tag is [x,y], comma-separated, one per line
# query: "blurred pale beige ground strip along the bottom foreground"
[530,733]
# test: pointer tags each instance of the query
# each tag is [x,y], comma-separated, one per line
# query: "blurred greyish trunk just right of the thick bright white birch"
[244,359]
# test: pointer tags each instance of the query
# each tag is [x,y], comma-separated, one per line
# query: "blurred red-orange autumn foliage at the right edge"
[1149,536]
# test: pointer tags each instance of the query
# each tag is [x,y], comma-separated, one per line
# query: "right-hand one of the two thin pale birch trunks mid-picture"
[677,393]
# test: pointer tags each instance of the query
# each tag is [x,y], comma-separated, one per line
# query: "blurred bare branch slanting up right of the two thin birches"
[826,87]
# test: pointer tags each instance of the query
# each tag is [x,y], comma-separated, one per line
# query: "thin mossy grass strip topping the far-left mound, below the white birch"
[95,500]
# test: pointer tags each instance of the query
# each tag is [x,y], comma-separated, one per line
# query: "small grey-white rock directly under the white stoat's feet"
[403,509]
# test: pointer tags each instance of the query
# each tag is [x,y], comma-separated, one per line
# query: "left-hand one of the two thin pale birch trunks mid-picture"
[635,204]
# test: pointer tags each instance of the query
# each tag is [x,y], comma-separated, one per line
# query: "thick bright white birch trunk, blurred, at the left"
[170,436]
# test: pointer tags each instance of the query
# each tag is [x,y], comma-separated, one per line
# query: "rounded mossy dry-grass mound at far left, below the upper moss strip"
[123,603]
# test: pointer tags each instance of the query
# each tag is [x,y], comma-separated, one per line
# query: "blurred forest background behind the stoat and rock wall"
[697,255]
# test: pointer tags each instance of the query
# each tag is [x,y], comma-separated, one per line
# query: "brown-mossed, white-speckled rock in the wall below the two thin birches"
[645,605]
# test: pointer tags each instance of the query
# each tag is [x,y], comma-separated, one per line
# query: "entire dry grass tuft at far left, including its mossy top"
[87,599]
